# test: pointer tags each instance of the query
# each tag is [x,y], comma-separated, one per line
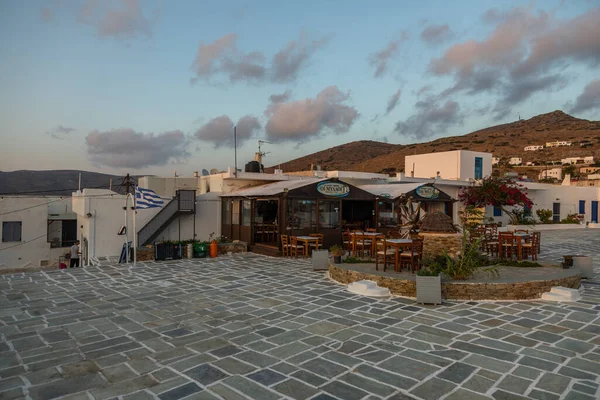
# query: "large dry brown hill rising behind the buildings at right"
[505,141]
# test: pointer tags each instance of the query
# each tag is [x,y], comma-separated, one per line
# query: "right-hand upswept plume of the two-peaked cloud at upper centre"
[288,61]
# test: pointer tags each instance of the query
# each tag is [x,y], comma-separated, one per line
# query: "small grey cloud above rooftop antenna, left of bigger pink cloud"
[219,131]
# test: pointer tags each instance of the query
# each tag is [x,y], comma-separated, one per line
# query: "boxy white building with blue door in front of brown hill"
[451,165]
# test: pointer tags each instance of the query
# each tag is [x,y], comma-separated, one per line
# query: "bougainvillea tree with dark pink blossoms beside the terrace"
[497,192]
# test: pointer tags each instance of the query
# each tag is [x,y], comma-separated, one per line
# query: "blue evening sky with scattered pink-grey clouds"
[156,86]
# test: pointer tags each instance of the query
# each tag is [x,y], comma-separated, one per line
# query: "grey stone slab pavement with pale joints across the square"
[254,327]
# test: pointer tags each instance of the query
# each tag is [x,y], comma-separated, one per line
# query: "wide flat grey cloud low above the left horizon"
[125,148]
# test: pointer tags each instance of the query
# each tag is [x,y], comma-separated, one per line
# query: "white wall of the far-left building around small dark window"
[34,245]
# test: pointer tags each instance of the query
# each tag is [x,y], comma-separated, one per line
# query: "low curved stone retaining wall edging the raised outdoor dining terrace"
[460,290]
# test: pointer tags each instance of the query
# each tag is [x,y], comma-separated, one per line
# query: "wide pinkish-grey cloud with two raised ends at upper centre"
[222,59]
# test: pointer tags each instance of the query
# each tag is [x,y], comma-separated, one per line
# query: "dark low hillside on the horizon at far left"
[54,182]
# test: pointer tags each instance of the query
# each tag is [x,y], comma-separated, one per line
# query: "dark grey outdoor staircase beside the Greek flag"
[183,203]
